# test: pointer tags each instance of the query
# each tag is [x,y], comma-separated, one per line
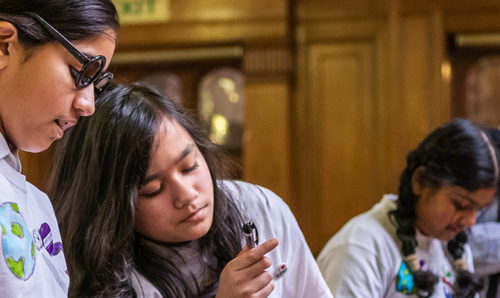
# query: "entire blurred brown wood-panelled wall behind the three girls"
[317,100]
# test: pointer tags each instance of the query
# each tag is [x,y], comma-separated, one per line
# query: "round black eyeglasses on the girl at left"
[82,58]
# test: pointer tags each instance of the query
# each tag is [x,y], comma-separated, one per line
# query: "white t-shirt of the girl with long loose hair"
[273,219]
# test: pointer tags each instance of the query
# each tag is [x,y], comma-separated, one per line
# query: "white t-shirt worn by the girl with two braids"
[364,260]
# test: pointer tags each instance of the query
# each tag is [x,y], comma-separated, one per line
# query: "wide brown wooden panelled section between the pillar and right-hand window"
[388,64]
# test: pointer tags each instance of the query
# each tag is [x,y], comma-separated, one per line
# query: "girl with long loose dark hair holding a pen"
[143,211]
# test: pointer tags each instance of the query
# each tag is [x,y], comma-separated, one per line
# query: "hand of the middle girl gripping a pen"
[246,275]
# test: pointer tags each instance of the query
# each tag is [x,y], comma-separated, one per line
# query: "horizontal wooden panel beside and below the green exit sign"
[199,22]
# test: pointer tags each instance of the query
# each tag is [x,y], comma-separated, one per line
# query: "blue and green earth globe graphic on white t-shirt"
[17,242]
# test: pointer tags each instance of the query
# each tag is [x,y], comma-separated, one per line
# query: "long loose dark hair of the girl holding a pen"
[98,171]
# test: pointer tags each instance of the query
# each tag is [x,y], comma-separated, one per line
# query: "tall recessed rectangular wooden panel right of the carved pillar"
[343,145]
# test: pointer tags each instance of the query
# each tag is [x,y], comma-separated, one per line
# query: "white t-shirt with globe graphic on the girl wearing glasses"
[33,263]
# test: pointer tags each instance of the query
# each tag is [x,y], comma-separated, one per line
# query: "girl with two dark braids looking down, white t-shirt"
[414,244]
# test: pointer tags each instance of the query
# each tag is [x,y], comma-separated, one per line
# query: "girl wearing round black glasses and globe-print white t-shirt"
[53,56]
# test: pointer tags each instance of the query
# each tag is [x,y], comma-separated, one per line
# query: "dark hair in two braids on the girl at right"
[453,154]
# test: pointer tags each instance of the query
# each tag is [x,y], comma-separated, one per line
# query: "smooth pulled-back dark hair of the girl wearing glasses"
[75,19]
